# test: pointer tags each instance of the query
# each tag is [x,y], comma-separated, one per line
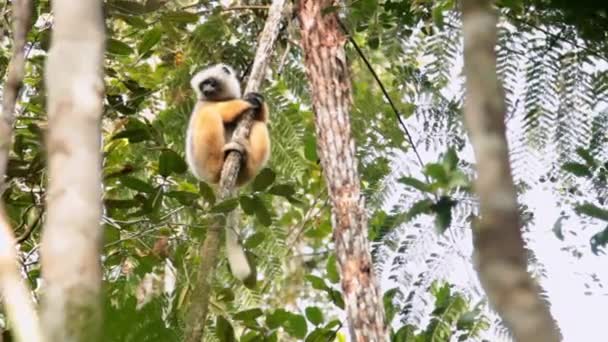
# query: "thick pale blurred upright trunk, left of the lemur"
[72,236]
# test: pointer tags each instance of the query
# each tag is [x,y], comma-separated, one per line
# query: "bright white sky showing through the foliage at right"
[578,309]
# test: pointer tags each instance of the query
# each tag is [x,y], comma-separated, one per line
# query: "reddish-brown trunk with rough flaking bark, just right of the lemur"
[327,71]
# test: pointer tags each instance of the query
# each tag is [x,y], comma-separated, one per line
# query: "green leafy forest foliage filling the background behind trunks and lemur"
[156,212]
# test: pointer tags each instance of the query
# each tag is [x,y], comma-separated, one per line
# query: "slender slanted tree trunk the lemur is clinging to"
[199,303]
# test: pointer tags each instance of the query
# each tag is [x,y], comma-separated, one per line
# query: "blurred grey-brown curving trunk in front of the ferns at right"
[499,247]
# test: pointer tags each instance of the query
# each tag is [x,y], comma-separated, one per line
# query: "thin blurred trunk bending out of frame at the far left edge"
[16,294]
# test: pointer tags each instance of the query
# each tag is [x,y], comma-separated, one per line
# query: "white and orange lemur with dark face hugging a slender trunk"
[209,140]
